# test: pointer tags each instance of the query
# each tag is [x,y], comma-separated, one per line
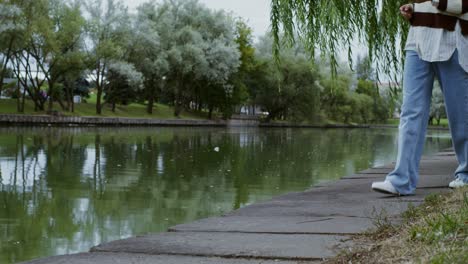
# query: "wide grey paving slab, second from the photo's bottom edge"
[232,245]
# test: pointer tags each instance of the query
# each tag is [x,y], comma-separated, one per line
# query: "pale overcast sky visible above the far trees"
[255,12]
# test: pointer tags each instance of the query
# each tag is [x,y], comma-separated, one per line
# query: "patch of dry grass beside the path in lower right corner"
[435,232]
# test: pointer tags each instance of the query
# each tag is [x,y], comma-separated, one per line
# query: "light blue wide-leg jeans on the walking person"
[417,91]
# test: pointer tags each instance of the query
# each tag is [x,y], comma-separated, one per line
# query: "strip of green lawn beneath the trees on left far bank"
[8,106]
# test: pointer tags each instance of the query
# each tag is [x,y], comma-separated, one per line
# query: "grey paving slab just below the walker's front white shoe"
[346,199]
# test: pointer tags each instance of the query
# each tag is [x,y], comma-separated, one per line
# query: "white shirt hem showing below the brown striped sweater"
[438,44]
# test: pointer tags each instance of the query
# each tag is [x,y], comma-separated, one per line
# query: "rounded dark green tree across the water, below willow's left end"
[288,90]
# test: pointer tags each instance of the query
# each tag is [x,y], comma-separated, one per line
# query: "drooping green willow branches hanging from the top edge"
[329,26]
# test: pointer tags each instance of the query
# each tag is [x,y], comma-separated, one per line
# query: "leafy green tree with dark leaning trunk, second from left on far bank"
[58,52]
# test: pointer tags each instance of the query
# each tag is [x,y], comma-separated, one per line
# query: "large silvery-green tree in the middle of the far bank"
[188,55]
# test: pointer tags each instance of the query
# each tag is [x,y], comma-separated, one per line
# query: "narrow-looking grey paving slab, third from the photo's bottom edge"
[279,225]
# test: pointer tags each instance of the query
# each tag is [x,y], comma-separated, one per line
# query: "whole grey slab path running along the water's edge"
[303,227]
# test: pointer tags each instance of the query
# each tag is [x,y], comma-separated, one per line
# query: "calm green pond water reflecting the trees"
[64,190]
